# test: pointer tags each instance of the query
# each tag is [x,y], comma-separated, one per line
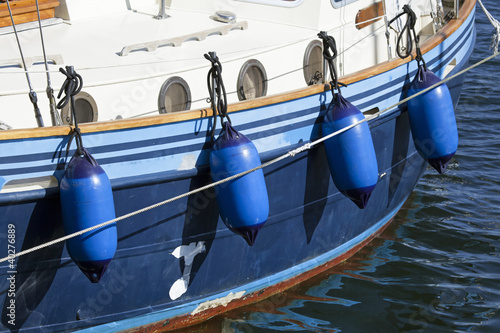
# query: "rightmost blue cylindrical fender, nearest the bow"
[432,120]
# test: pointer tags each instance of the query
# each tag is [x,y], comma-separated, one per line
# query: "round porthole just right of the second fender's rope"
[252,80]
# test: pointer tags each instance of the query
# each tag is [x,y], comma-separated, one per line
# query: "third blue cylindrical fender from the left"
[351,155]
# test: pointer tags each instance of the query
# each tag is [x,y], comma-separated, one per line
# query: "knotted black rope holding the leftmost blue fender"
[71,87]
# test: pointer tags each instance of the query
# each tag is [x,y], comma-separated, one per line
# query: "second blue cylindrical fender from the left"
[243,202]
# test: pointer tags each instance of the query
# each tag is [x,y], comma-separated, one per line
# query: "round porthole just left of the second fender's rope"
[174,95]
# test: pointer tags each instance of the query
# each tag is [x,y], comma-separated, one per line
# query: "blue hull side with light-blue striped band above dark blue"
[179,260]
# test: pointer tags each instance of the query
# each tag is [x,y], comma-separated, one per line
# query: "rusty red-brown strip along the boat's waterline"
[190,320]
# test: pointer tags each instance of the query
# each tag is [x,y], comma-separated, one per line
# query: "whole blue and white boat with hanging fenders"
[146,109]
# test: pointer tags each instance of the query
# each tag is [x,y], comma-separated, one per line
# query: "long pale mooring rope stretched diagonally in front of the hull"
[292,153]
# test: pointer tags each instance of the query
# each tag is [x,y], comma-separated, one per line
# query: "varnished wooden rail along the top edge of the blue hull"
[428,45]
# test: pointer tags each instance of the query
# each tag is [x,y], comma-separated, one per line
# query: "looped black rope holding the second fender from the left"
[217,91]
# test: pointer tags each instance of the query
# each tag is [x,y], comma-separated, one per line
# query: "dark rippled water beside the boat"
[437,266]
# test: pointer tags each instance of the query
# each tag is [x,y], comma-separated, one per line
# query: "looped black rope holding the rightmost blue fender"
[410,35]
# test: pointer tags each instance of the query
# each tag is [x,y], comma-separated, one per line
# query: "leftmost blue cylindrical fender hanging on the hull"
[87,200]
